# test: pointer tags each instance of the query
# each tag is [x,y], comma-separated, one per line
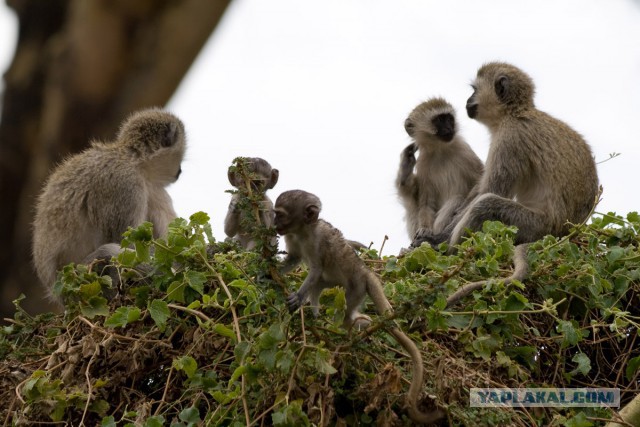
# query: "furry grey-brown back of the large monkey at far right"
[553,165]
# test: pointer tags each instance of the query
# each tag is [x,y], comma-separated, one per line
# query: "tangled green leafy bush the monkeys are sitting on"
[201,335]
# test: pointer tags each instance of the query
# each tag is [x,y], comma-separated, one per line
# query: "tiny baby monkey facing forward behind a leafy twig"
[261,177]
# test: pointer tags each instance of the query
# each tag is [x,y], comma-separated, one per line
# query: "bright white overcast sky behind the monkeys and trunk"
[321,89]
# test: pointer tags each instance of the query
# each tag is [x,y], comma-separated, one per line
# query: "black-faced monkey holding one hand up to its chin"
[445,172]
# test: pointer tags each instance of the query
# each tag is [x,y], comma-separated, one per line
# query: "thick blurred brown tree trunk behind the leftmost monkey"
[80,67]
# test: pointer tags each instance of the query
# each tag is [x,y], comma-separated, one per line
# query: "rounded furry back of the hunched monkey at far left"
[67,208]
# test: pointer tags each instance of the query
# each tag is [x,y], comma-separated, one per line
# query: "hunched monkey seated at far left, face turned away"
[91,198]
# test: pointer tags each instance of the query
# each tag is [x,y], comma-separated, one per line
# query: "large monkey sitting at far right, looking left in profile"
[540,174]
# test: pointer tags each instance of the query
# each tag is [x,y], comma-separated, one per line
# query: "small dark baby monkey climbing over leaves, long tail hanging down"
[332,262]
